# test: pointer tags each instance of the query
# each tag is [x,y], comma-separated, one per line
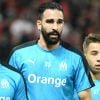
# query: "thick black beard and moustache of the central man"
[50,40]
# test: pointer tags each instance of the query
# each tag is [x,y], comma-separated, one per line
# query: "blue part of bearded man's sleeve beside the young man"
[81,79]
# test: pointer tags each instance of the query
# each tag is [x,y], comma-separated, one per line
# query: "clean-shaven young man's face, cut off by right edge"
[93,57]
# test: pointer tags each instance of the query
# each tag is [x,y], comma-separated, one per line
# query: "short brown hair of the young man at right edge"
[91,38]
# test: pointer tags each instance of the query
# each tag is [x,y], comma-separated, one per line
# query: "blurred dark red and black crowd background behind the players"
[18,22]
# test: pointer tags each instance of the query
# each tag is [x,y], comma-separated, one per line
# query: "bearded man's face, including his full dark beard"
[51,25]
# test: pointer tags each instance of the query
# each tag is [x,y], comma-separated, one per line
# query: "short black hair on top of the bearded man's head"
[48,5]
